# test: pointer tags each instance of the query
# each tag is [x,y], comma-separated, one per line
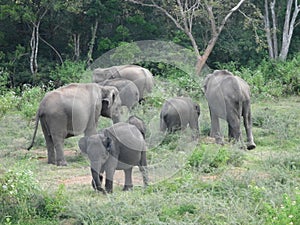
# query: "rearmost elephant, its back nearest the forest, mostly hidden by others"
[142,77]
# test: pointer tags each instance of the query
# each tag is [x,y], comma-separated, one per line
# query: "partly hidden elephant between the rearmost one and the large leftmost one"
[129,93]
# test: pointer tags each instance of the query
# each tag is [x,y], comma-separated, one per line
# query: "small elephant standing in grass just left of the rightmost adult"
[177,113]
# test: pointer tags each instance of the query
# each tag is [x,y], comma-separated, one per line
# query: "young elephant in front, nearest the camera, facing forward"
[119,147]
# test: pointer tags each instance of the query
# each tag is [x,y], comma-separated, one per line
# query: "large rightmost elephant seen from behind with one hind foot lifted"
[228,98]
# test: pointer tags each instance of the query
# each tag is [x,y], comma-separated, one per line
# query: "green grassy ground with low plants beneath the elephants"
[191,183]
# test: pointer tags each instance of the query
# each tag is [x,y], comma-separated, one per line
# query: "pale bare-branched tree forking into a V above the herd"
[184,14]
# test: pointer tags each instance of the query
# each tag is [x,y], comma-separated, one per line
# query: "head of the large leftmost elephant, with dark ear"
[111,103]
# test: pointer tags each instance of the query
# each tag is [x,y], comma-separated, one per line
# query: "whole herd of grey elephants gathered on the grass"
[75,109]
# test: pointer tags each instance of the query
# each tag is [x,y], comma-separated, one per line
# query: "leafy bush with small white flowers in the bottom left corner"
[23,199]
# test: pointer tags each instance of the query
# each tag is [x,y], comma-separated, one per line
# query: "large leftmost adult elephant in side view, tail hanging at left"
[72,110]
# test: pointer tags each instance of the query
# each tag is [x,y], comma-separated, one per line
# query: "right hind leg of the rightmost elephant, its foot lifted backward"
[248,125]
